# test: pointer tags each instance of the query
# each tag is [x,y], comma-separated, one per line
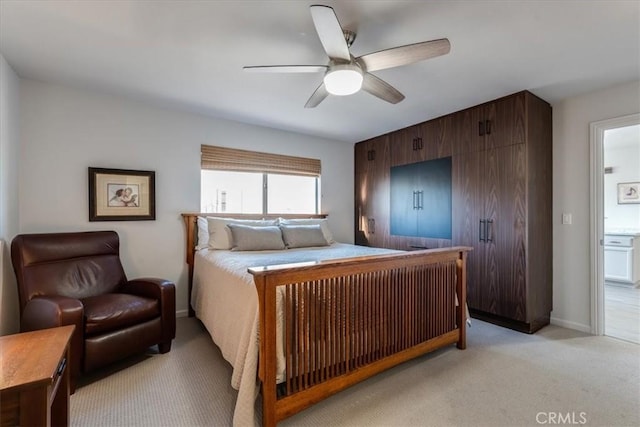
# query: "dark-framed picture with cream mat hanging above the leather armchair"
[121,195]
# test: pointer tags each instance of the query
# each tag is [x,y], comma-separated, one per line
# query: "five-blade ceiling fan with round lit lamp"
[346,75]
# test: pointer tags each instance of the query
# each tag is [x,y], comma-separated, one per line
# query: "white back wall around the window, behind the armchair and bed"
[64,131]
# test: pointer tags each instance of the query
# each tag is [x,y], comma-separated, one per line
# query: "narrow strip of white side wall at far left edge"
[9,161]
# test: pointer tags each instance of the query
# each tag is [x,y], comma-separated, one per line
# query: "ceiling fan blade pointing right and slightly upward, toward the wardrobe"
[404,55]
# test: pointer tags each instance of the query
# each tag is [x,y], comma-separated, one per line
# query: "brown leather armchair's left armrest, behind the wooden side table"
[45,312]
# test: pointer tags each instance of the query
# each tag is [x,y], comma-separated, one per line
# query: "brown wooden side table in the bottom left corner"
[34,380]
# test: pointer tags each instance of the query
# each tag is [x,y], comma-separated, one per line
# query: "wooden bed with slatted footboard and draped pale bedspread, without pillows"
[312,321]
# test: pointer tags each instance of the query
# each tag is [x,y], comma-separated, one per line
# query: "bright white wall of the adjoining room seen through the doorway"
[624,159]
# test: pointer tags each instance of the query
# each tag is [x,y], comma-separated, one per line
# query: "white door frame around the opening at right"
[596,146]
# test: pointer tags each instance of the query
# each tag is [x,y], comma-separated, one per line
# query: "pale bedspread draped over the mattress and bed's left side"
[225,300]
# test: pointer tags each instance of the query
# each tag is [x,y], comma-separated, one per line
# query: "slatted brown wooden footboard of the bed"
[347,320]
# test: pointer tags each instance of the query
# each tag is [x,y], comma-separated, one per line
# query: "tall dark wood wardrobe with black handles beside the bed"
[500,154]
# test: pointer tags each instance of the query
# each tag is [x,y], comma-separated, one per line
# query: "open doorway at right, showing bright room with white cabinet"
[615,302]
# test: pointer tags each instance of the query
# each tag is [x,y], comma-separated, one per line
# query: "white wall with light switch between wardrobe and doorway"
[571,244]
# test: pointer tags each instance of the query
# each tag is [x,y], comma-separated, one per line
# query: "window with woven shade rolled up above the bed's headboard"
[240,181]
